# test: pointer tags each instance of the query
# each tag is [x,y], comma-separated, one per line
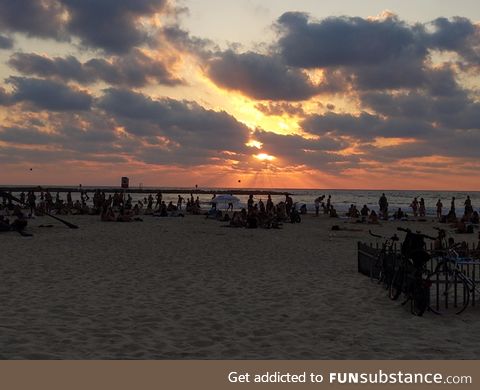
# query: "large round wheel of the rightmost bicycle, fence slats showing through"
[449,292]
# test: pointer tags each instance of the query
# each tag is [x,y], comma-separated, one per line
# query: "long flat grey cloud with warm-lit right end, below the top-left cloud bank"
[135,69]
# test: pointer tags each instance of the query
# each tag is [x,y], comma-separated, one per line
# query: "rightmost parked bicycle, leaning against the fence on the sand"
[451,283]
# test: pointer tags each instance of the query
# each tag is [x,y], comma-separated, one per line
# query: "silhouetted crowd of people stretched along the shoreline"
[120,207]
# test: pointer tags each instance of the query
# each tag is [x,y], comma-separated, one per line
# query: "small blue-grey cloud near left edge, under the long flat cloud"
[49,95]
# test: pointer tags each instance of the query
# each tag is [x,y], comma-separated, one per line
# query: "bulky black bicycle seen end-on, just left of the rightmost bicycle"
[410,278]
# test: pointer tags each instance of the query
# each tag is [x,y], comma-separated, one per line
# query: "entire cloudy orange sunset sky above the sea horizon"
[265,94]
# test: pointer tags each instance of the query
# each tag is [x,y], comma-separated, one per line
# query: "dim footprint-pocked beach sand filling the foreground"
[179,288]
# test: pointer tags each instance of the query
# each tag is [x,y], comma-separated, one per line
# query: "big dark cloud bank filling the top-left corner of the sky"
[111,25]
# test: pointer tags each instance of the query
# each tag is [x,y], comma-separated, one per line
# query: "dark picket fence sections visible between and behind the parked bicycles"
[368,253]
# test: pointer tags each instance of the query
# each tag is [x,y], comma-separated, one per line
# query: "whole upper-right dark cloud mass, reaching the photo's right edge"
[382,53]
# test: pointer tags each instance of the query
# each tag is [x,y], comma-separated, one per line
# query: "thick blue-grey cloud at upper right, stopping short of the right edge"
[344,41]
